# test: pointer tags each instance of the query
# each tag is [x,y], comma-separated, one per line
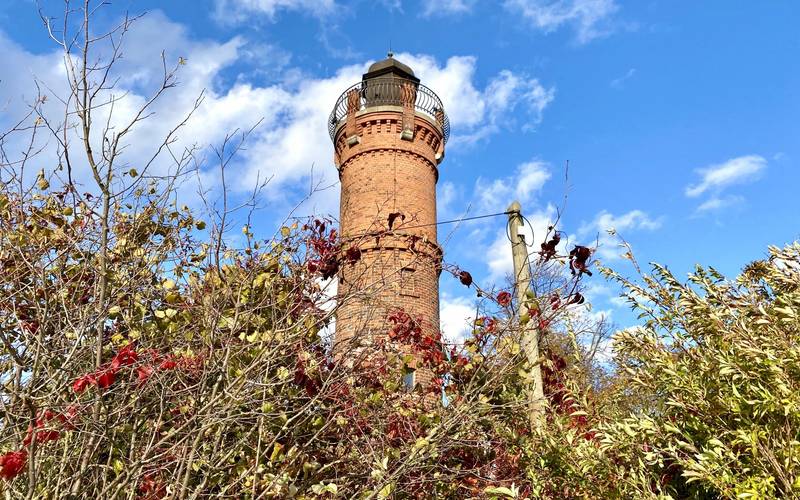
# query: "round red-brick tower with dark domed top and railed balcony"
[389,133]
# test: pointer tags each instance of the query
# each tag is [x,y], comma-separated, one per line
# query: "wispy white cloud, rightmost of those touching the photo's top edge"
[586,16]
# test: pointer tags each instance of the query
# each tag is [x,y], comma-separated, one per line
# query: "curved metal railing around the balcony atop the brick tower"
[388,92]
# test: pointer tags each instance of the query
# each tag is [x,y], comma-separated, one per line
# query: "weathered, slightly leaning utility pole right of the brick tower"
[529,338]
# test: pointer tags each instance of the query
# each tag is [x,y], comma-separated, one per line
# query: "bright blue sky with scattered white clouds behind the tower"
[679,119]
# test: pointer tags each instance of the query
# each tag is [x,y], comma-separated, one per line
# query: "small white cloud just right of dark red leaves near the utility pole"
[608,247]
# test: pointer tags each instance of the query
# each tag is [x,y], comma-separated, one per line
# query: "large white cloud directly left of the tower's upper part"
[290,143]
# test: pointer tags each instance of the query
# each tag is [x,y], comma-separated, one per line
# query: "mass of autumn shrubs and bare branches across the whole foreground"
[147,352]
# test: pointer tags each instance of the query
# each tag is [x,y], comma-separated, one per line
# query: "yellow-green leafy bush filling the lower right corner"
[712,382]
